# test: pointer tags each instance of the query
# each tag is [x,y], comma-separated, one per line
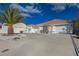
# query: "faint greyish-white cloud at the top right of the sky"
[62,6]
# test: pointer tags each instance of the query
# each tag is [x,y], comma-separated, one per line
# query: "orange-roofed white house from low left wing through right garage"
[53,26]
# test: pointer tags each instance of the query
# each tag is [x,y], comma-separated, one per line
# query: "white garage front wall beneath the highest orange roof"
[58,28]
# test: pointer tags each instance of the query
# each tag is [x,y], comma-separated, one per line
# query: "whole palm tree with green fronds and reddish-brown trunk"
[11,16]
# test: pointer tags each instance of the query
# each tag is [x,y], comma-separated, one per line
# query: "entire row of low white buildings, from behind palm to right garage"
[52,26]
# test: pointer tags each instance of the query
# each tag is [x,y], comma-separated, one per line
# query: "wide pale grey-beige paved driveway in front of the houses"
[40,45]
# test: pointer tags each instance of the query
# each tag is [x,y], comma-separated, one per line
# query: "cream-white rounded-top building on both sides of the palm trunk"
[18,28]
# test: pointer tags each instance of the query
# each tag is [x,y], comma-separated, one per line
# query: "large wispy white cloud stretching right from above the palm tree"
[27,9]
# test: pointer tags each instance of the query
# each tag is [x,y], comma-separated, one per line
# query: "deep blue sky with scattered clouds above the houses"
[42,12]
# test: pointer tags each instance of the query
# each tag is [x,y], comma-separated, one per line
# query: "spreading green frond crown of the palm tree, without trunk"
[12,16]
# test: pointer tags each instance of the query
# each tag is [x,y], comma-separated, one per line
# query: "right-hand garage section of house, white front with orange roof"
[59,26]
